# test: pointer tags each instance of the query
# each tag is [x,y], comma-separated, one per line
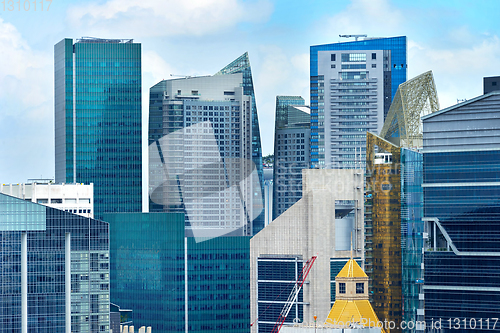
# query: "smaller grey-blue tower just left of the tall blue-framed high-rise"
[291,151]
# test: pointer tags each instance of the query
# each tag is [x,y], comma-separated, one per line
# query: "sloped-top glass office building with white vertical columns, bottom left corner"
[54,270]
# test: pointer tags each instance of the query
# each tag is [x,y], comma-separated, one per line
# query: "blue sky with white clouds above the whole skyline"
[458,40]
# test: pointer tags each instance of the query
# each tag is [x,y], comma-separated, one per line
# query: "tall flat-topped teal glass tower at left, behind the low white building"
[98,120]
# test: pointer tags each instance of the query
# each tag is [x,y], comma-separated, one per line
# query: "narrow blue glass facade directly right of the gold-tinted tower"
[412,229]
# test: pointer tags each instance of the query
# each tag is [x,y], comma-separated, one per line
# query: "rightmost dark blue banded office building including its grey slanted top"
[462,215]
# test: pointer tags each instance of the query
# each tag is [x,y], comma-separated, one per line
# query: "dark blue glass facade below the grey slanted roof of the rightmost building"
[462,276]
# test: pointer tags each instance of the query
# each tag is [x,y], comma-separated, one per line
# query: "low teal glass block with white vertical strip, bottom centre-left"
[149,257]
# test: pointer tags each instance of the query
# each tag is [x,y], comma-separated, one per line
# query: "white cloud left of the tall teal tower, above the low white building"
[26,105]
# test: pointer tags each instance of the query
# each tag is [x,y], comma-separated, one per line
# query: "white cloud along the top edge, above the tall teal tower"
[166,17]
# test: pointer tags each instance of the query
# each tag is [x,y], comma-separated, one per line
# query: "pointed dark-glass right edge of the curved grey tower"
[242,65]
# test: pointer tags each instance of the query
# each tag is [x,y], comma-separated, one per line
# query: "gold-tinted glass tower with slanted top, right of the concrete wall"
[383,251]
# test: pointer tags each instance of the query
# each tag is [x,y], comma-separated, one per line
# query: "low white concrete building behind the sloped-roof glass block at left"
[74,198]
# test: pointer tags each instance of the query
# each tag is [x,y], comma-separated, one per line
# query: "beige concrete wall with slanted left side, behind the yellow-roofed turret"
[308,229]
